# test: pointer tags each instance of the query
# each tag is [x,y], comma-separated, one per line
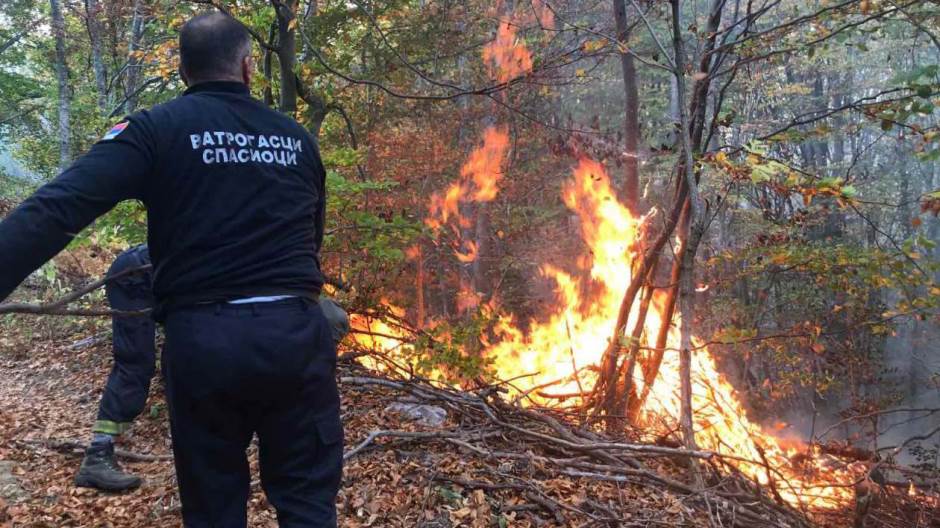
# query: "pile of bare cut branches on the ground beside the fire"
[488,428]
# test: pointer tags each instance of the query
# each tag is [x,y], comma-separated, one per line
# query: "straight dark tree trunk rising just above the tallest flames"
[631,129]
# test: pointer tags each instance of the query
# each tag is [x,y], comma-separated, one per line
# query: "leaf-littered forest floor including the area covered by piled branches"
[53,373]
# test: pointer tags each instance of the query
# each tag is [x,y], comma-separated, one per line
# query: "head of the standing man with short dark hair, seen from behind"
[214,47]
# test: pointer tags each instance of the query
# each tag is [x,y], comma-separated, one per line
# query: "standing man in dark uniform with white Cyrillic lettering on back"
[235,200]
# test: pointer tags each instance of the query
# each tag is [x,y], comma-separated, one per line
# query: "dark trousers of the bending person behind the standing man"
[128,385]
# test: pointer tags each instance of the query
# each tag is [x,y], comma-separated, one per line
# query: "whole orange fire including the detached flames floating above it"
[554,360]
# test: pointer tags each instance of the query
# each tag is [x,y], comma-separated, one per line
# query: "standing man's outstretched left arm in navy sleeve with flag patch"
[115,169]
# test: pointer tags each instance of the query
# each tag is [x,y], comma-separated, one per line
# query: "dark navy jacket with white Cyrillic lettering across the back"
[234,194]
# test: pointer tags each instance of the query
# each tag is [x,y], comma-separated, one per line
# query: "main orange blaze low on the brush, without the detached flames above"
[562,350]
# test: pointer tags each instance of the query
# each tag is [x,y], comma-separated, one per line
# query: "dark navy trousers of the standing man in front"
[267,368]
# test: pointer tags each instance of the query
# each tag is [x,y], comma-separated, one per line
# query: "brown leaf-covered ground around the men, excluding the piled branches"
[48,400]
